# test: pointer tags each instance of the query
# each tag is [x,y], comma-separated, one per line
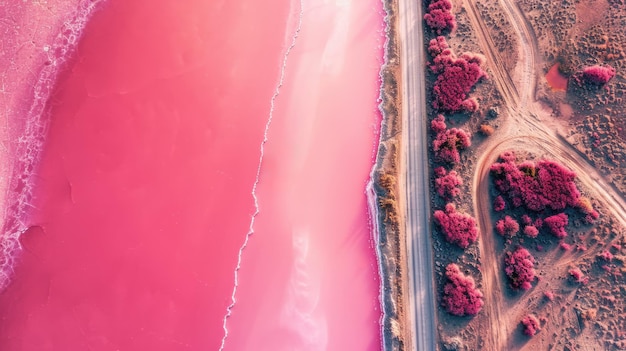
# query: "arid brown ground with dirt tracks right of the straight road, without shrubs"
[578,294]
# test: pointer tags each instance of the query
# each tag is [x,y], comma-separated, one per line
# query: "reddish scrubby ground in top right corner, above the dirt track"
[578,34]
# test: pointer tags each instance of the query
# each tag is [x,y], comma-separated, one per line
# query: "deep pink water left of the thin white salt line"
[144,187]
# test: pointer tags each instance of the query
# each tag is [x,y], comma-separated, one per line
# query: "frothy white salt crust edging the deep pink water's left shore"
[30,143]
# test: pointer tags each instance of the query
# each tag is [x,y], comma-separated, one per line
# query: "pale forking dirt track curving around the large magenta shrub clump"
[522,128]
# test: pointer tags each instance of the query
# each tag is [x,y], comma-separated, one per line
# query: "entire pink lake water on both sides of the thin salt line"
[143,194]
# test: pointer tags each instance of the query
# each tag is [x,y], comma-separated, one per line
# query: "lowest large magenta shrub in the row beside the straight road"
[460,296]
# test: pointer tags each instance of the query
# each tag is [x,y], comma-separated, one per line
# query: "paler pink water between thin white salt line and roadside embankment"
[309,277]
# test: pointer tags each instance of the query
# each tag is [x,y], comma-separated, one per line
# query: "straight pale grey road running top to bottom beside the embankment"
[420,270]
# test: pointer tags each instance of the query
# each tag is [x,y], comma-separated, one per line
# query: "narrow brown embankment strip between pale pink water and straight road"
[386,184]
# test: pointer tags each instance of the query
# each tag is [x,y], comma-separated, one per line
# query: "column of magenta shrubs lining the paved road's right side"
[453,79]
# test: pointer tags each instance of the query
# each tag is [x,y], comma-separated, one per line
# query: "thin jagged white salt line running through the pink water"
[281,79]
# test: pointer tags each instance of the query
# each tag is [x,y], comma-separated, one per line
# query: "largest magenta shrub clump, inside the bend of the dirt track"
[546,184]
